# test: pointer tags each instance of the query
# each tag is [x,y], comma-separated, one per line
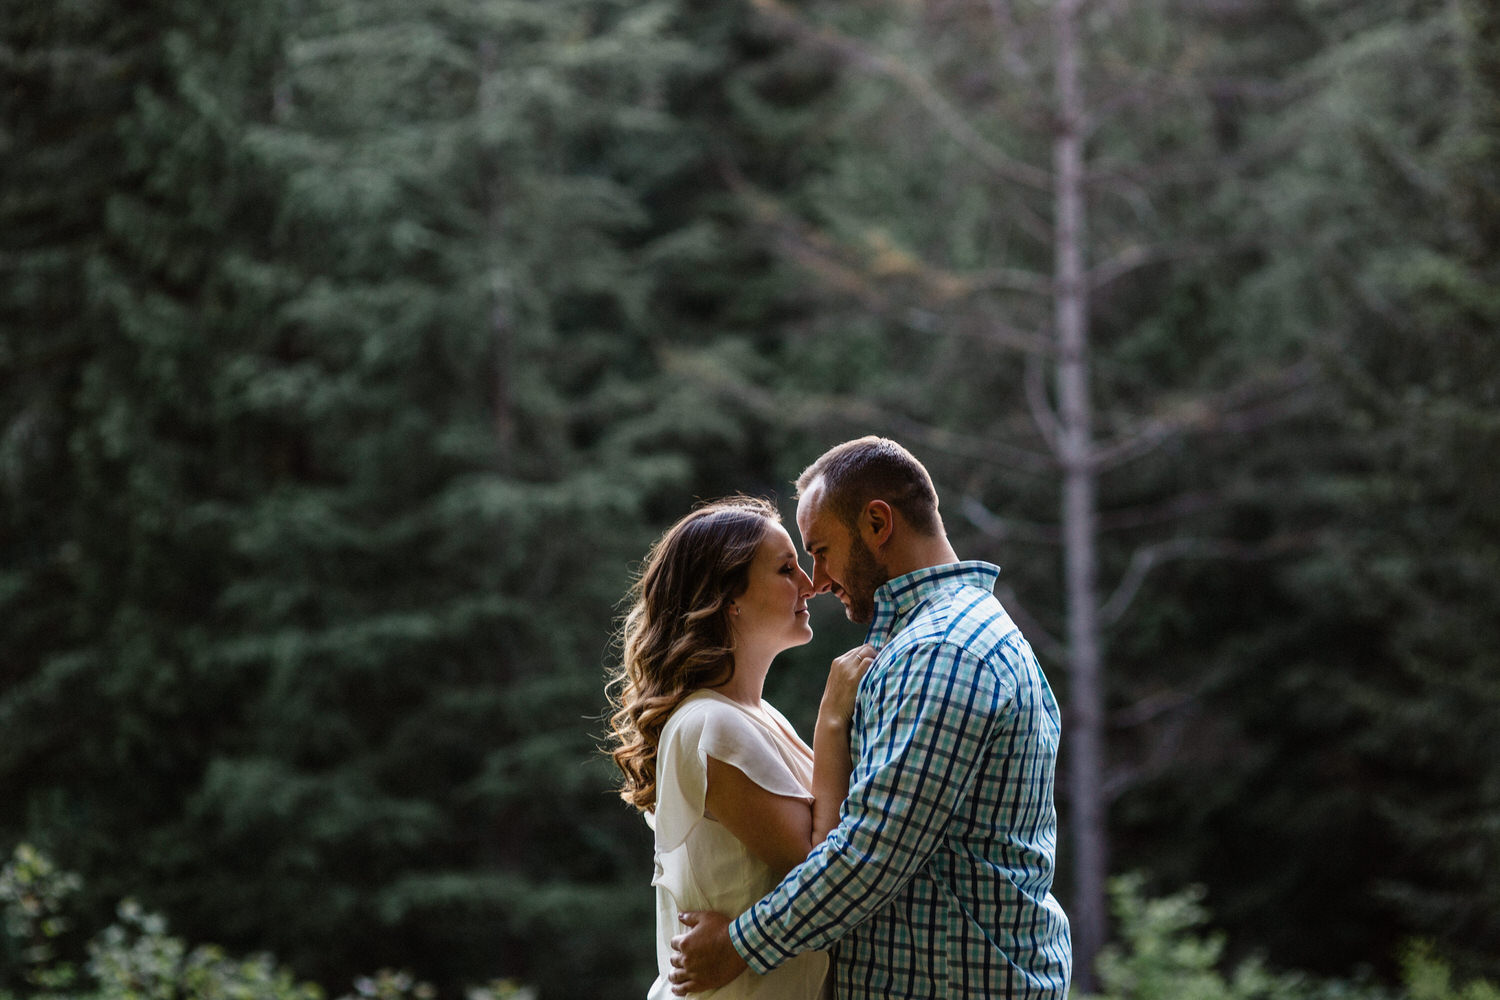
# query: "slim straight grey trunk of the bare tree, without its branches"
[1085,752]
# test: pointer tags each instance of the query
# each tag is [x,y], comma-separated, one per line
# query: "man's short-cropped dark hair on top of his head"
[874,469]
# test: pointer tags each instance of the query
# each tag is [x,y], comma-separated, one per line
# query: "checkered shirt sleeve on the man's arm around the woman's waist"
[923,726]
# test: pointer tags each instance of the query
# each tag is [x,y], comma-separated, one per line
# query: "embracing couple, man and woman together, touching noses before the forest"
[910,851]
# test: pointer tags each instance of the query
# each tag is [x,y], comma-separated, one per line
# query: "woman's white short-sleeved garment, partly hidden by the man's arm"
[700,866]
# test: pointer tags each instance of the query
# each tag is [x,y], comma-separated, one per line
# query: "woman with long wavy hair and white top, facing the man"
[736,798]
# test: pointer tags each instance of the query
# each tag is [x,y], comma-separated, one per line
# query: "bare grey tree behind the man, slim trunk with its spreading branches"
[1066,422]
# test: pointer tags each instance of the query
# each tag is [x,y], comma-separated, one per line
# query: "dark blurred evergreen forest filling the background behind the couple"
[353,353]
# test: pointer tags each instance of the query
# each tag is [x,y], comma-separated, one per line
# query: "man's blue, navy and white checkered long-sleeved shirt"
[938,879]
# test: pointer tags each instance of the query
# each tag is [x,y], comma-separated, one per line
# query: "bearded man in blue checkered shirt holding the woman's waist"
[938,879]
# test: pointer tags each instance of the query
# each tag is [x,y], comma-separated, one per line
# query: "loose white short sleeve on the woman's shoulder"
[712,729]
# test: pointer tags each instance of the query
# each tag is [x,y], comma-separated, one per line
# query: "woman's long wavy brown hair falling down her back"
[677,639]
